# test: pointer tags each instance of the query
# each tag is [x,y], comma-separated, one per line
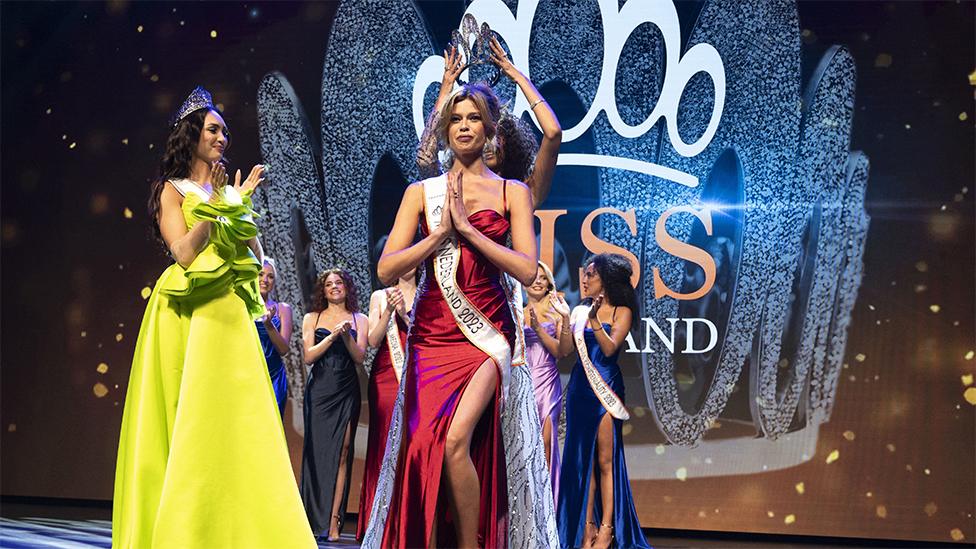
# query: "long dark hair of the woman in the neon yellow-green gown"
[176,161]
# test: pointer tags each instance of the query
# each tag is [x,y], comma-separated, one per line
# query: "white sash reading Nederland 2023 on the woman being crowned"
[470,320]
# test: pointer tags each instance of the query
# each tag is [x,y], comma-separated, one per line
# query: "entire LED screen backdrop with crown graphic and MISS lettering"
[793,182]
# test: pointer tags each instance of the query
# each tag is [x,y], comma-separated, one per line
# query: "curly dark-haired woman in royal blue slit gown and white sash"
[595,507]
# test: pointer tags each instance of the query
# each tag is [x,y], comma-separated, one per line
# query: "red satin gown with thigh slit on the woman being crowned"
[440,364]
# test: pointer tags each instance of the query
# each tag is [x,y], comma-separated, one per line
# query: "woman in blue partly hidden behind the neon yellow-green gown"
[274,331]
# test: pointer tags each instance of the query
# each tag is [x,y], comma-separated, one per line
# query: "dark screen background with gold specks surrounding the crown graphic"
[87,90]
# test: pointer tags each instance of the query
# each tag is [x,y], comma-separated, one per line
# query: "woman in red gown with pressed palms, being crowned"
[450,485]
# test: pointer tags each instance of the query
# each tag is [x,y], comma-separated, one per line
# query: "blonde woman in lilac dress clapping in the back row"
[547,339]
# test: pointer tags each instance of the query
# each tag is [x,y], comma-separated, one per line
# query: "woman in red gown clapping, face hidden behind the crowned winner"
[388,311]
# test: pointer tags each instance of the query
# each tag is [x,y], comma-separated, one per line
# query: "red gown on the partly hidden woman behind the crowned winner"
[382,391]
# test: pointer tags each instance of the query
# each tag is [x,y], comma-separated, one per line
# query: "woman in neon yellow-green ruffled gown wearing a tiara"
[202,457]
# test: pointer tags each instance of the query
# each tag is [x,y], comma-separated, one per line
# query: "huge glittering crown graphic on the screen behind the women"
[723,121]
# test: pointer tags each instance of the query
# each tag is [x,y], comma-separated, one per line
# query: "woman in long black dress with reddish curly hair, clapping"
[334,335]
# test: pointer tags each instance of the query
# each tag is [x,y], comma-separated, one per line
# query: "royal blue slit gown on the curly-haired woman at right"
[583,415]
